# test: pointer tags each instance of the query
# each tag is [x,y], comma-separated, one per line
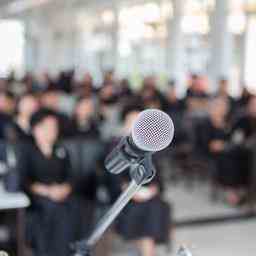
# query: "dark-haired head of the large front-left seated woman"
[44,126]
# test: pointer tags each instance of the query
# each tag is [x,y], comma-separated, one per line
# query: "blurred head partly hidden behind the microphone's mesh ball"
[129,114]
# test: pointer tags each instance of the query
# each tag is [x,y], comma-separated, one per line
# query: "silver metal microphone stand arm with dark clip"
[141,173]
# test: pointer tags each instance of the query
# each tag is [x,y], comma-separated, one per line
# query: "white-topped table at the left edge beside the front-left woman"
[18,202]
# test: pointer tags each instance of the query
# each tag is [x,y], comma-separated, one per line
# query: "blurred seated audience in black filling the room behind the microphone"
[56,133]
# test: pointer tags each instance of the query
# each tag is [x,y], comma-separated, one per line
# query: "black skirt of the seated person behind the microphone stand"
[148,219]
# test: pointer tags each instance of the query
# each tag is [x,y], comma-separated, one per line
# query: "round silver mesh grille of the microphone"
[153,130]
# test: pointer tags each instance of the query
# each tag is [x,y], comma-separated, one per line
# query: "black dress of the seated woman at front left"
[51,225]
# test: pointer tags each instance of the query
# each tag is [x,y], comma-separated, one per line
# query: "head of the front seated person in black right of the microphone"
[218,108]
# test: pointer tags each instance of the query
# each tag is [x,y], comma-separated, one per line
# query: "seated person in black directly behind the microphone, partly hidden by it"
[146,220]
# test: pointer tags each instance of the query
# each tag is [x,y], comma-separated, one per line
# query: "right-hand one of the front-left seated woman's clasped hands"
[59,193]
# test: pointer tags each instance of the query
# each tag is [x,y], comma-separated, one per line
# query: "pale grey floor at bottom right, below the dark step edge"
[232,239]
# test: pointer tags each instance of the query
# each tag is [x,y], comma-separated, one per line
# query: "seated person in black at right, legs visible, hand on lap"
[231,172]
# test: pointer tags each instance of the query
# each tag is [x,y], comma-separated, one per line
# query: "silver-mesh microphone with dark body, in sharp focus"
[152,131]
